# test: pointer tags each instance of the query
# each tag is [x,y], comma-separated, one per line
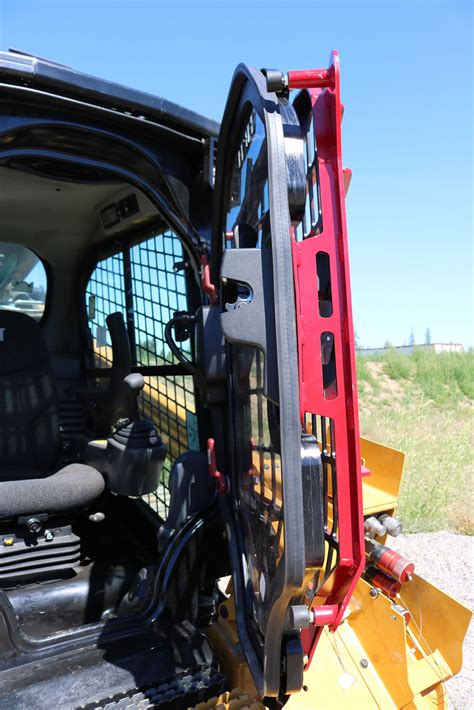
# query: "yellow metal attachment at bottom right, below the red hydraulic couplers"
[376,660]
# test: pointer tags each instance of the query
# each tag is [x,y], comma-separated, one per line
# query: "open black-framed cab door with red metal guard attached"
[292,506]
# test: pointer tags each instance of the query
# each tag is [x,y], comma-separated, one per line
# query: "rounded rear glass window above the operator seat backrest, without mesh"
[23,282]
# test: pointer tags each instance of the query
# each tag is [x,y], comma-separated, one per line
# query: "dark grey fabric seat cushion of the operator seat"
[22,492]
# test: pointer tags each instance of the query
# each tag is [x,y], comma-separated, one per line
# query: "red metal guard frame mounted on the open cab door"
[327,113]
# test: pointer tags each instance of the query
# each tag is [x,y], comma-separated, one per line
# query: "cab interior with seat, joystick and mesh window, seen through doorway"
[103,481]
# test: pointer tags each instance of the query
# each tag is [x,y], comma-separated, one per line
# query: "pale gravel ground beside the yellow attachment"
[447,560]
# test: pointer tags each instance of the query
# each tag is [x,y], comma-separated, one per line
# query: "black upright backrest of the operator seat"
[29,424]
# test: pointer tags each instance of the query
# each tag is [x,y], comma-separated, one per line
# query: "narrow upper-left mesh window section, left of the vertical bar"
[106,291]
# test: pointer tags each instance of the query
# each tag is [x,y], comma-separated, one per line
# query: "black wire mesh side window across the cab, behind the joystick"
[157,292]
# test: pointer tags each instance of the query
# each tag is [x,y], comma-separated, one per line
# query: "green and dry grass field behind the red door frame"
[422,405]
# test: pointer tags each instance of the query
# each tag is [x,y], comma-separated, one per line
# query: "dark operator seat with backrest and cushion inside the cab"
[32,480]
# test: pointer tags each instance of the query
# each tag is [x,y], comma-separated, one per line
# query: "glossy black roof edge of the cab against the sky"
[22,69]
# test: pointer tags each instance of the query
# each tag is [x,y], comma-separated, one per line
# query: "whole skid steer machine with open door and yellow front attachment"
[188,516]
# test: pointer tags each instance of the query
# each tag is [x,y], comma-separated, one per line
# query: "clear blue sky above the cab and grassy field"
[407,89]
